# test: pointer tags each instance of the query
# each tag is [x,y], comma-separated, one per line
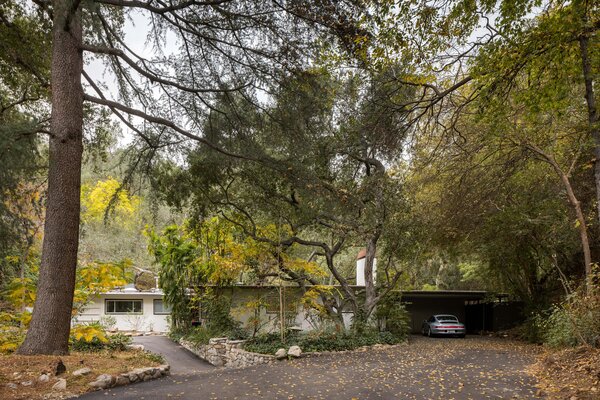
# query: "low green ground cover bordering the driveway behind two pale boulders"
[321,341]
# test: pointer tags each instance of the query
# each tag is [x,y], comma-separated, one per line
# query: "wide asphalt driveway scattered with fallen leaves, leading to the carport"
[425,368]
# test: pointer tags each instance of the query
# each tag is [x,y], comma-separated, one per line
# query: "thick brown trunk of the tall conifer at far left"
[50,325]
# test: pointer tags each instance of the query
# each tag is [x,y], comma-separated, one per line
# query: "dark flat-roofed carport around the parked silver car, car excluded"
[422,304]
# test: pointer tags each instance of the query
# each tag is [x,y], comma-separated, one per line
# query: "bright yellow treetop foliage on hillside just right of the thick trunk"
[97,199]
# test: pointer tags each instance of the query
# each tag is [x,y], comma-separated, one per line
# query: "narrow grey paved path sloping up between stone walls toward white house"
[181,360]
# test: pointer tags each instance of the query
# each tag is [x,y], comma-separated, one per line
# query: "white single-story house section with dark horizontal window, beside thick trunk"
[129,309]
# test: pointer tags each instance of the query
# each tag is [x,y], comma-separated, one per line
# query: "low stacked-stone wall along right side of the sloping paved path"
[222,352]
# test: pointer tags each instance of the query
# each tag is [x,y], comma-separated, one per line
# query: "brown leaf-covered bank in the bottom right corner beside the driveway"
[570,374]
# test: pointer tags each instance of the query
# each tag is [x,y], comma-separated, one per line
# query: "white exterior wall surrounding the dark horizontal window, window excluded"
[146,321]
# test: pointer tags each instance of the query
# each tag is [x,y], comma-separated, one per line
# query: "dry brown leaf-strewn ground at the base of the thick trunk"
[18,369]
